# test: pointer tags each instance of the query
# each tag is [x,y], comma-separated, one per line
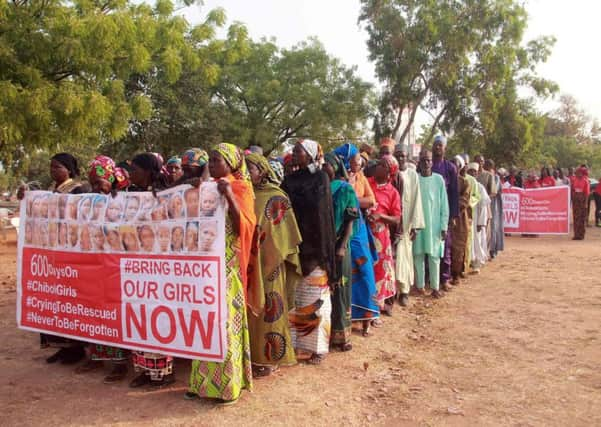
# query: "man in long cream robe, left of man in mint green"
[413,221]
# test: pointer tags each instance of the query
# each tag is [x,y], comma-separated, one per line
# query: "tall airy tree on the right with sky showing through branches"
[453,59]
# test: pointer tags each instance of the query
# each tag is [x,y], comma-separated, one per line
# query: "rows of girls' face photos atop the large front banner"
[181,220]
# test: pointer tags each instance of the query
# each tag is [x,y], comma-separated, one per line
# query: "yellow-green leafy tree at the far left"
[65,67]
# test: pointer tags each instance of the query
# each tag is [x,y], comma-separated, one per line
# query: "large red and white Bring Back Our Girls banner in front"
[133,271]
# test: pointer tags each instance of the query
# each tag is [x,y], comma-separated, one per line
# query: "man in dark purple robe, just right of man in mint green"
[448,171]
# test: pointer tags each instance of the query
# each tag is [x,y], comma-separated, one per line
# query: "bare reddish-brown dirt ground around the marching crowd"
[517,345]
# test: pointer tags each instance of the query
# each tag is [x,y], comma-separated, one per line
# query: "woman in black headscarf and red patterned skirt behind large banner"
[147,174]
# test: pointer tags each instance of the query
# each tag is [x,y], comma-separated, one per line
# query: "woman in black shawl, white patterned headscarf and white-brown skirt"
[309,190]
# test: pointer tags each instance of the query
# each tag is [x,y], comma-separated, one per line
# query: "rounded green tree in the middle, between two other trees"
[272,94]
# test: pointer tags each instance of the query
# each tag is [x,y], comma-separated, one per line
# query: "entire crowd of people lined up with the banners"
[316,245]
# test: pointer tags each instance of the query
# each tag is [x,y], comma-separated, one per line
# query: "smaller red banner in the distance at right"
[537,210]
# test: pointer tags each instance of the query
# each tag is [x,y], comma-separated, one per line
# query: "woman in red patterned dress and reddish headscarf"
[387,213]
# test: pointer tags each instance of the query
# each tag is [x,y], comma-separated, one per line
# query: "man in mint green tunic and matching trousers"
[430,241]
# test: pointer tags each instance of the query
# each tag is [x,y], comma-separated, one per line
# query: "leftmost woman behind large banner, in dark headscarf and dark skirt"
[64,171]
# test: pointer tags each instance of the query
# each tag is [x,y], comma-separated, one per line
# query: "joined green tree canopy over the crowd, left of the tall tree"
[120,76]
